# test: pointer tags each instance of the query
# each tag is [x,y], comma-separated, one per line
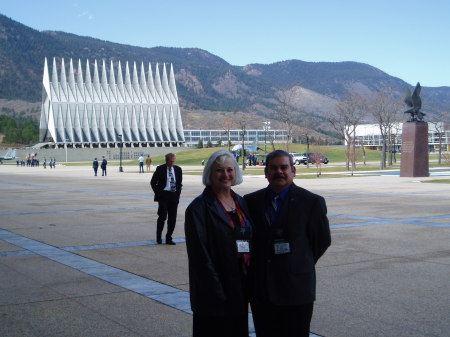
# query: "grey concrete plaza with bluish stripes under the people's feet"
[78,256]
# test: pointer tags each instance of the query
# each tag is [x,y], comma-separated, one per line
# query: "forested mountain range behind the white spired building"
[205,82]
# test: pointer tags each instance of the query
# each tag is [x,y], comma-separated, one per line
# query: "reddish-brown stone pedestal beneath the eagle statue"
[414,160]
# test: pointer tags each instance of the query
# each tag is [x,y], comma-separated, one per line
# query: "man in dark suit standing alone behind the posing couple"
[166,183]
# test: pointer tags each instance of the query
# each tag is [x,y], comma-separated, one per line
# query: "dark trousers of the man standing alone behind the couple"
[167,209]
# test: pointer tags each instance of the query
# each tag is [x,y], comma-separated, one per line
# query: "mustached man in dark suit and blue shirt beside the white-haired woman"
[291,232]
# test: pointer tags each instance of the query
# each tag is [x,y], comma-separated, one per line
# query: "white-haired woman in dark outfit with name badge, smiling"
[218,233]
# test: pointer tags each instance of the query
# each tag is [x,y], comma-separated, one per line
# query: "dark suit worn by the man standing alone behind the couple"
[167,201]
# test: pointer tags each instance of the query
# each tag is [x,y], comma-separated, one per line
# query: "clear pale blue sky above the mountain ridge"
[406,39]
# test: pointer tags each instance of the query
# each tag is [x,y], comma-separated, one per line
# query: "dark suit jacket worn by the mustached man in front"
[288,279]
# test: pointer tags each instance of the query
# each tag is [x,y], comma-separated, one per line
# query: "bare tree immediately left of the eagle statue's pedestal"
[385,109]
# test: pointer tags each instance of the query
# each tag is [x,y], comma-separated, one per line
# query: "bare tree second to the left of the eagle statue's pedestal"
[345,119]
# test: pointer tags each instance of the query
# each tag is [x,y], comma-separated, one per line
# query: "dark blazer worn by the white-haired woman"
[215,279]
